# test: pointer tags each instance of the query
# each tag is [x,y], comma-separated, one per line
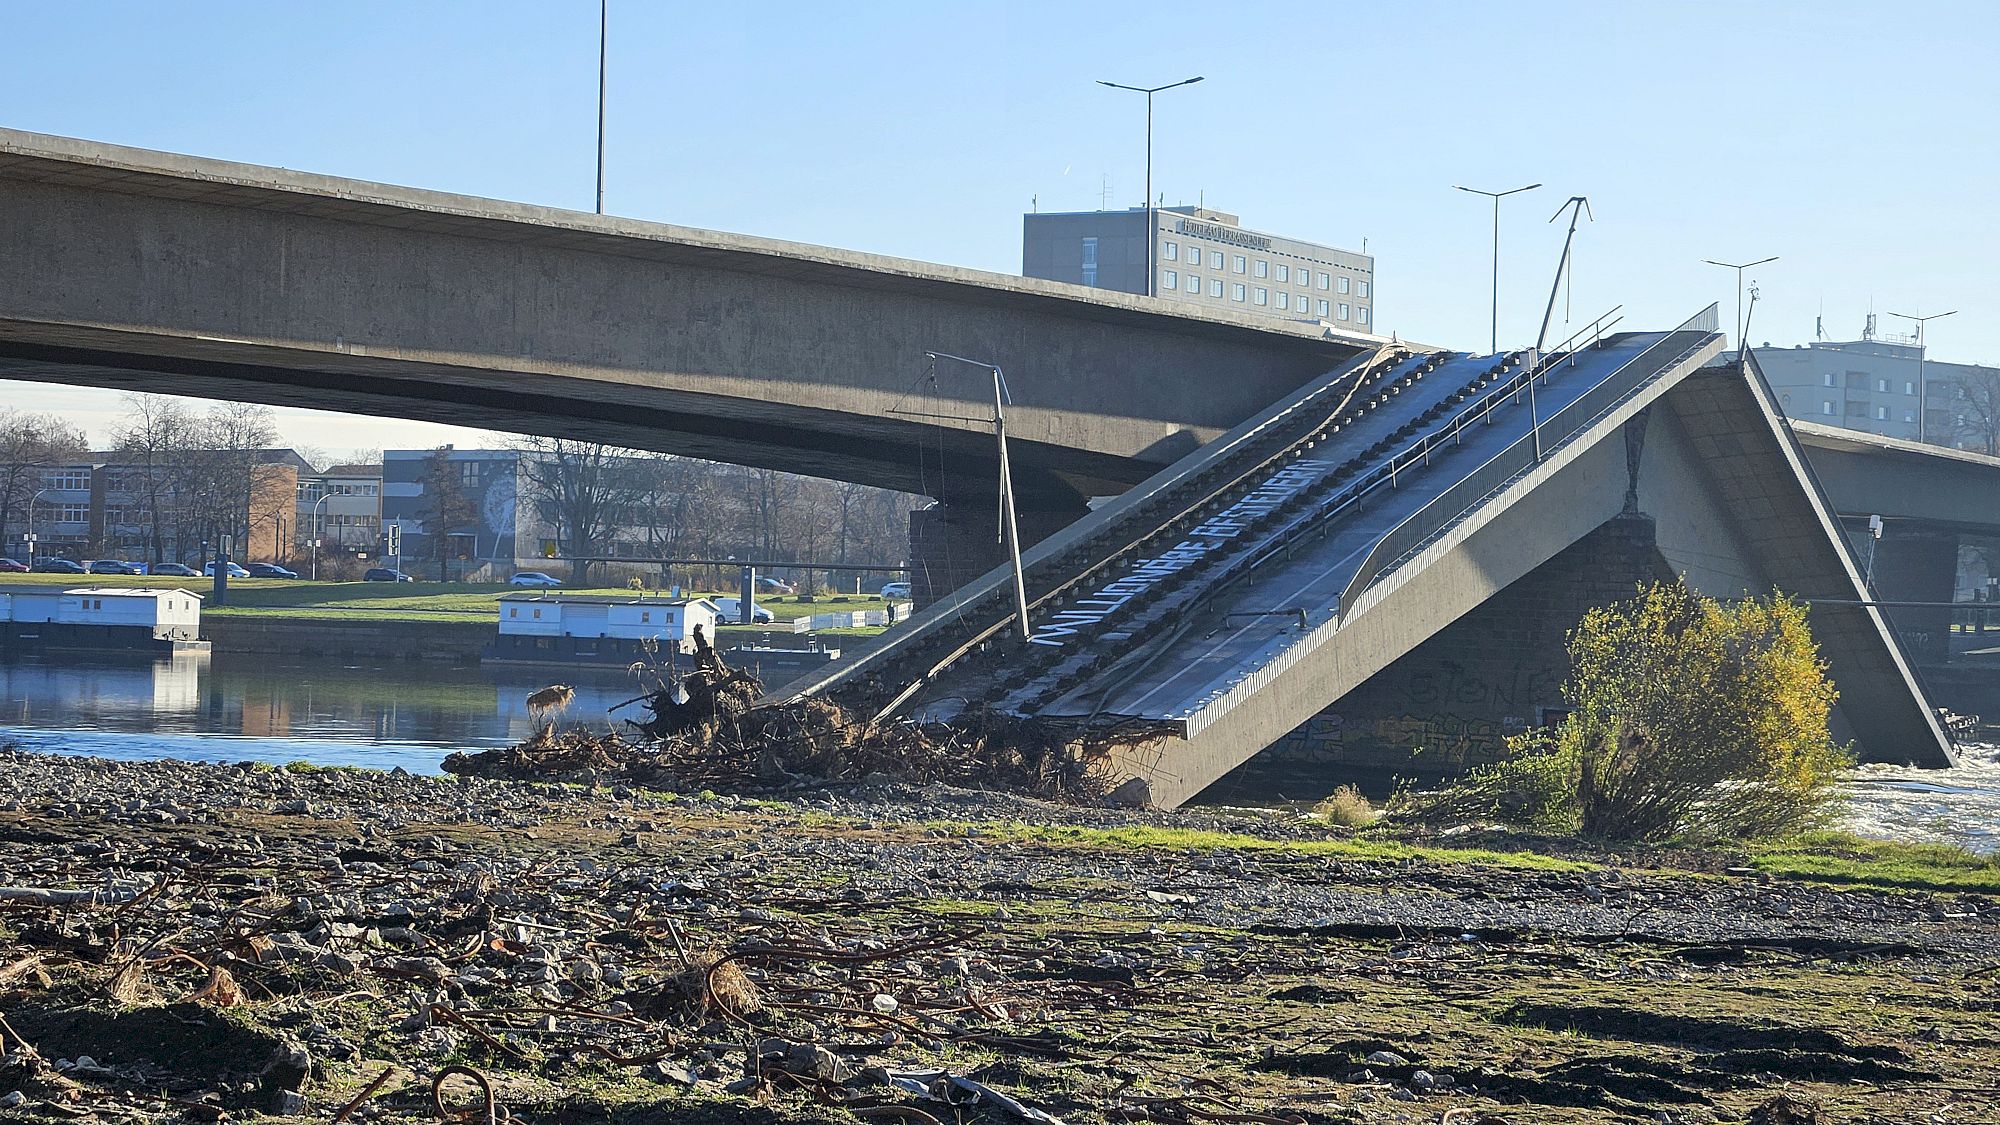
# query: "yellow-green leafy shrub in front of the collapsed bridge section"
[1689,720]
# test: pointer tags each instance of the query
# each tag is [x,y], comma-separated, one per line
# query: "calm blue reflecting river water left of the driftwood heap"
[269,710]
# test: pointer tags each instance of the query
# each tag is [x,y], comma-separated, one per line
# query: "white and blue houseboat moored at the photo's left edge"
[37,620]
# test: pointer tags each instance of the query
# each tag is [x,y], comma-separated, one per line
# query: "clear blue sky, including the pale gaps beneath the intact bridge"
[1855,141]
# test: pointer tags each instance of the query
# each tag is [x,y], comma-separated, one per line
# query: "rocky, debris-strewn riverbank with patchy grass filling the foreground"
[191,942]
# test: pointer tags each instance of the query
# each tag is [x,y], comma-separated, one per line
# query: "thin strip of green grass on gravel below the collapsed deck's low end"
[1151,838]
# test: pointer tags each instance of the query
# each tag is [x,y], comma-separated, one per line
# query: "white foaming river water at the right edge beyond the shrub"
[1933,806]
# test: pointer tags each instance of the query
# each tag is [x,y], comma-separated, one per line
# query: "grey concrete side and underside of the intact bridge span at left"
[167,273]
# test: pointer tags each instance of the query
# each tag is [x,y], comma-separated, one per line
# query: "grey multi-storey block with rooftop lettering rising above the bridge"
[1203,257]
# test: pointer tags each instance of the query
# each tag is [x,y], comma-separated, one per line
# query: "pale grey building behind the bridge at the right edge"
[1873,385]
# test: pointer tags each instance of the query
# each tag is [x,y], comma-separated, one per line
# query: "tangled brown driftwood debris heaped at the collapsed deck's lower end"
[707,732]
